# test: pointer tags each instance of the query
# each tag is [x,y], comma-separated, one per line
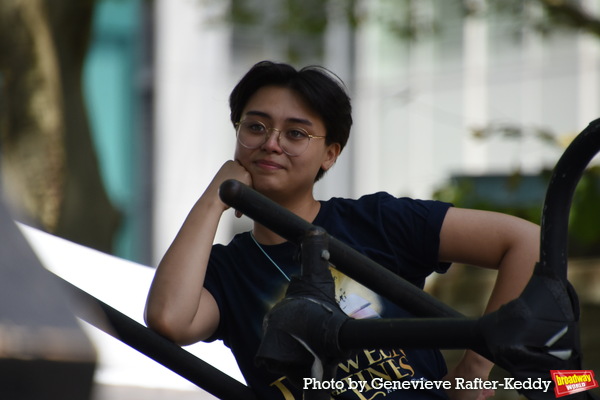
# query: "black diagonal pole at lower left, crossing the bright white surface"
[151,344]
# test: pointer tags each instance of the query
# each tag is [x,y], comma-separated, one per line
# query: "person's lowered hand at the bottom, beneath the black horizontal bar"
[470,367]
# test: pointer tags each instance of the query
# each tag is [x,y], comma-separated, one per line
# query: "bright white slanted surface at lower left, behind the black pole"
[123,285]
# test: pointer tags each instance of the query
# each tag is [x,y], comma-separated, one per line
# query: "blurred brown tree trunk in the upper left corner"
[49,166]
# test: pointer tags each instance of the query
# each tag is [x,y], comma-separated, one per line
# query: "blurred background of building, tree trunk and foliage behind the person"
[114,113]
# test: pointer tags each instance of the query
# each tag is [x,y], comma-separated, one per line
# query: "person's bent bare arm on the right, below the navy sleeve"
[490,240]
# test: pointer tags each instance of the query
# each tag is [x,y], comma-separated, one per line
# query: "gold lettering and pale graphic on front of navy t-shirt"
[359,302]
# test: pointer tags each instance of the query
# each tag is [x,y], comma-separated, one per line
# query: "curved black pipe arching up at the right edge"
[559,195]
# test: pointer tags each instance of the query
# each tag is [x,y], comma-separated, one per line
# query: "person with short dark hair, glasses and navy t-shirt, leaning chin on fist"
[291,127]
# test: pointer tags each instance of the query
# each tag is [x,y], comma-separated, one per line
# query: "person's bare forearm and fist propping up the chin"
[178,307]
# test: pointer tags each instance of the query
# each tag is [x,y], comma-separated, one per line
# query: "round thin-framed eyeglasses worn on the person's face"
[293,140]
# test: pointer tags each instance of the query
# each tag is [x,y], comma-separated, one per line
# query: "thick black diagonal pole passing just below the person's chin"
[349,261]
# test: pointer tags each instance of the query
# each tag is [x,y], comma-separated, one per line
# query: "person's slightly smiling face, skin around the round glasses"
[274,173]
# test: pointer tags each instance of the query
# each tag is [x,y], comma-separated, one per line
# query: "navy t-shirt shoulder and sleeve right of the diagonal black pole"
[400,234]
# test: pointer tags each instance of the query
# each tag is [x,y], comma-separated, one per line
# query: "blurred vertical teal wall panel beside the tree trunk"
[112,93]
